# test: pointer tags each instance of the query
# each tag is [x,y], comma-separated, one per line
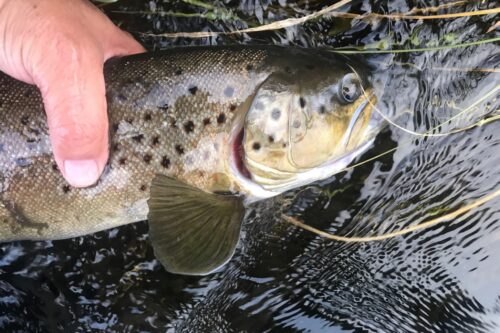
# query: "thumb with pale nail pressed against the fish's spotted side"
[73,91]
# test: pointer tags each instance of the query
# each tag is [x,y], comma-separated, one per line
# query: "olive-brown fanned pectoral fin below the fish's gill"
[193,232]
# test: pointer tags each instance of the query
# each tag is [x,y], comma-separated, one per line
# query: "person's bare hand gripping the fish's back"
[61,47]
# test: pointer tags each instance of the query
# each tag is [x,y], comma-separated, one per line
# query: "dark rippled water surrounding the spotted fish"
[443,279]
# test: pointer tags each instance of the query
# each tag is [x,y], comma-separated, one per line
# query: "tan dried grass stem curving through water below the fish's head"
[479,202]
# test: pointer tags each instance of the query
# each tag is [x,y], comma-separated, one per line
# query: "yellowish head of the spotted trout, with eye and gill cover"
[300,125]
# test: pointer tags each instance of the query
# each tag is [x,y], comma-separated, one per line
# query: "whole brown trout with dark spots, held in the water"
[196,134]
